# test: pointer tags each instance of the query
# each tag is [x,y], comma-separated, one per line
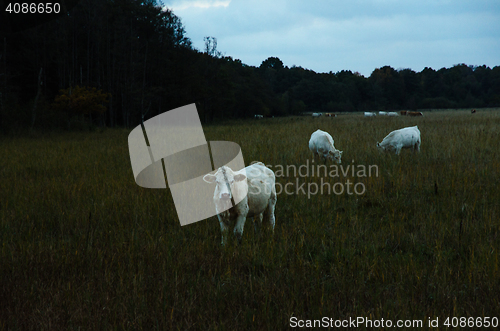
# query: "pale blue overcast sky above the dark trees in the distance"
[356,35]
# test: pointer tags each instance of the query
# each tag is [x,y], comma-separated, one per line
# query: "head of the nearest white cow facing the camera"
[225,180]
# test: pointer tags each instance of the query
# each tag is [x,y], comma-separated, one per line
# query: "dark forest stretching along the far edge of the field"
[119,62]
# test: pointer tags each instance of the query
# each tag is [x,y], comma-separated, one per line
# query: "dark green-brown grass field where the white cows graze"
[83,247]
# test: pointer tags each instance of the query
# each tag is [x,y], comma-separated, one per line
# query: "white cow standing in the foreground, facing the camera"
[253,192]
